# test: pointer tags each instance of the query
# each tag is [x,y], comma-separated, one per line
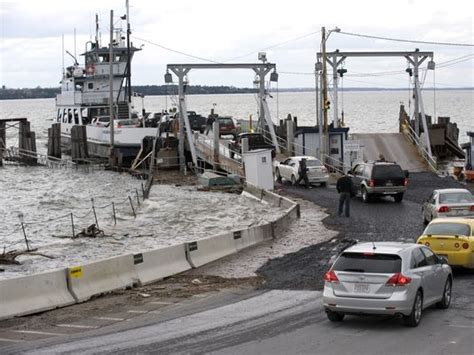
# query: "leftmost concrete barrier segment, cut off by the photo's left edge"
[34,293]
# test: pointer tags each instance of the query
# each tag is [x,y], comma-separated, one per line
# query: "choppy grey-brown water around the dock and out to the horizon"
[47,197]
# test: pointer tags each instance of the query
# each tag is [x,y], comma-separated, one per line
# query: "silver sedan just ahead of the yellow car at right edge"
[448,203]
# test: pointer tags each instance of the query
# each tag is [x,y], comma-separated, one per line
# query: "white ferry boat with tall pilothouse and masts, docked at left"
[85,95]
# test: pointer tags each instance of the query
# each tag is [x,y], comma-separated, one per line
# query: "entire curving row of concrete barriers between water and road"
[40,292]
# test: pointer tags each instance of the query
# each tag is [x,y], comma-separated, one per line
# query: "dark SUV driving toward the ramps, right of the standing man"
[379,178]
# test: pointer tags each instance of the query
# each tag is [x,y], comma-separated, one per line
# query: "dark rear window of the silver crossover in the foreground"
[368,262]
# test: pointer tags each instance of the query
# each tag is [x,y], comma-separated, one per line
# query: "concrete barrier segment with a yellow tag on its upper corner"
[101,276]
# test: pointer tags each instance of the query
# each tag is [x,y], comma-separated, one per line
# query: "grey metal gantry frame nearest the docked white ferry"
[181,70]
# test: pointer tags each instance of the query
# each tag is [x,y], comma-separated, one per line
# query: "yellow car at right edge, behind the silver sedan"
[452,238]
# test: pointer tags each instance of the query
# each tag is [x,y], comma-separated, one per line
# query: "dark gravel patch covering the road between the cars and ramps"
[382,220]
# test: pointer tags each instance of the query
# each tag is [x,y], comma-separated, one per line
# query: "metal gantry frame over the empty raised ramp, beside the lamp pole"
[416,58]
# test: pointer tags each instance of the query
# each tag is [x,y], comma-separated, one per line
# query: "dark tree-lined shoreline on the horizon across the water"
[164,90]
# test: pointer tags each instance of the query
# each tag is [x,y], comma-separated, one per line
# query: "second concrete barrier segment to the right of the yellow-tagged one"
[204,251]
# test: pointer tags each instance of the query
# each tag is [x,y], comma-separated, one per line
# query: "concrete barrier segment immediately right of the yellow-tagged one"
[160,263]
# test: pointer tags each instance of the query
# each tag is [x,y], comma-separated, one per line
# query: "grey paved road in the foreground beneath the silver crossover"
[273,322]
